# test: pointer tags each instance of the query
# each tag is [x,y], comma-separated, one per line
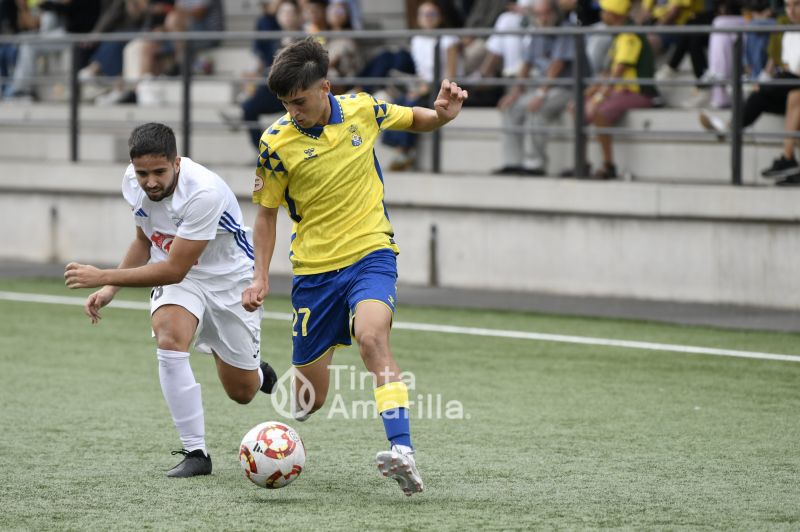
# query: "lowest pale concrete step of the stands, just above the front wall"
[687,162]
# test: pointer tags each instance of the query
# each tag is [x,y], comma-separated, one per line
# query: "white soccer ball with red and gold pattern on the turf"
[272,455]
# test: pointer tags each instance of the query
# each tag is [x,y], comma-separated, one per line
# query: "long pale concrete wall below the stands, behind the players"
[717,244]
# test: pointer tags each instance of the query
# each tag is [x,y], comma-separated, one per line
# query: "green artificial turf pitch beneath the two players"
[553,435]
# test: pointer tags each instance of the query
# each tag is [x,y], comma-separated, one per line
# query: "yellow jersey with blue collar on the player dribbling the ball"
[329,180]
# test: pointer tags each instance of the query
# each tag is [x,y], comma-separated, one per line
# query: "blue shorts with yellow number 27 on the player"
[325,303]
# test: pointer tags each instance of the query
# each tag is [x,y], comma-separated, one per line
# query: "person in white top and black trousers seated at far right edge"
[776,99]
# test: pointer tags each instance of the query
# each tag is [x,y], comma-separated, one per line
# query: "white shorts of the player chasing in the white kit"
[223,325]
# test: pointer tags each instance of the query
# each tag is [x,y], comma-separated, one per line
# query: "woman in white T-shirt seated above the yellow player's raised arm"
[429,16]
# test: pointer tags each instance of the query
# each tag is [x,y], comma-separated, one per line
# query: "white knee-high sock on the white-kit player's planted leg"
[182,393]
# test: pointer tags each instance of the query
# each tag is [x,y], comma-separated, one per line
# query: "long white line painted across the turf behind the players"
[452,329]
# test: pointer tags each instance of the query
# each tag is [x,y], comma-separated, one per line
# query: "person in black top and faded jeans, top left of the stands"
[57,19]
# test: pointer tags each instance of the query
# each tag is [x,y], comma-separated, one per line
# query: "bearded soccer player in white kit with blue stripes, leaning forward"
[191,246]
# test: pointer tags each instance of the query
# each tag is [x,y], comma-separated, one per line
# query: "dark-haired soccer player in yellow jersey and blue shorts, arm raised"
[318,162]
